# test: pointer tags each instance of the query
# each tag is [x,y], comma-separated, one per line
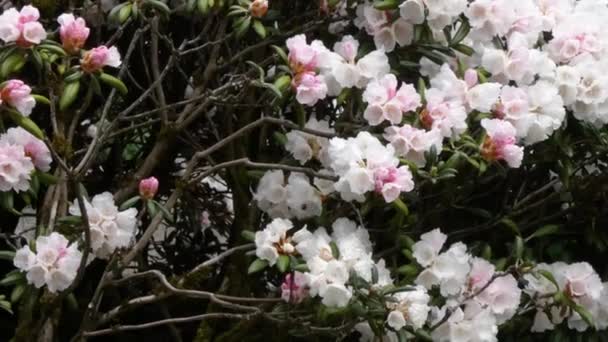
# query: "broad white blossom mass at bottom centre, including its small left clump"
[330,267]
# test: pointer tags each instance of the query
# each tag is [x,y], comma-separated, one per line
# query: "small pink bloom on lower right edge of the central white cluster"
[392,181]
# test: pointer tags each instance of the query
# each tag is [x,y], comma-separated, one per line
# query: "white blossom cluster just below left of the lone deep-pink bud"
[110,228]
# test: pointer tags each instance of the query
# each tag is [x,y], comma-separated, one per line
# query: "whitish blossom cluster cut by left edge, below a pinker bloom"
[15,168]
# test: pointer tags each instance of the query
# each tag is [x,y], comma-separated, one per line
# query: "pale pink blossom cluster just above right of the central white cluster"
[411,143]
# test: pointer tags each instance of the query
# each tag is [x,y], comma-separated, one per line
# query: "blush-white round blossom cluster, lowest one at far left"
[55,262]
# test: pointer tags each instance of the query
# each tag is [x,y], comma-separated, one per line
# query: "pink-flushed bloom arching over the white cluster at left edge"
[32,146]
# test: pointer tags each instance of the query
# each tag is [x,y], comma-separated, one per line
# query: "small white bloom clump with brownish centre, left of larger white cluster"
[273,241]
